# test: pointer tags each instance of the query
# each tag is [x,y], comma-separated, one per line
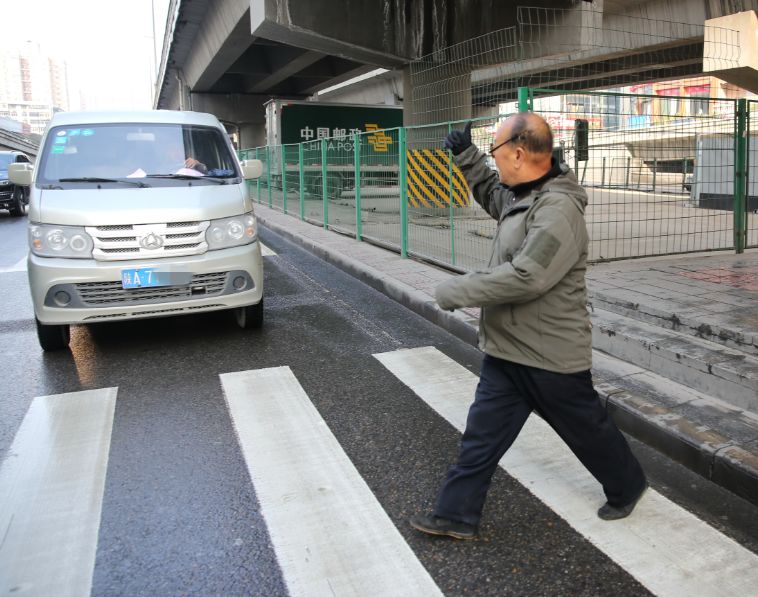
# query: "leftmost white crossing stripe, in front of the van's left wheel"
[51,492]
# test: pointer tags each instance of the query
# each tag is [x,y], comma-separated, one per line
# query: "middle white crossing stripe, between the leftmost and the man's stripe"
[330,534]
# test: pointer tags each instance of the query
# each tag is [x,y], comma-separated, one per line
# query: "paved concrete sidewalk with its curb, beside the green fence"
[684,332]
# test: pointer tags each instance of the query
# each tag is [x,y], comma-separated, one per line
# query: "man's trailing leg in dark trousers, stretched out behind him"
[570,404]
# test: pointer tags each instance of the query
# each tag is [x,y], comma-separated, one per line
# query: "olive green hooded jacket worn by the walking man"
[532,294]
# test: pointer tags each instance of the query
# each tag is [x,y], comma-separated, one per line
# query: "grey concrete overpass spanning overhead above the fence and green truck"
[228,57]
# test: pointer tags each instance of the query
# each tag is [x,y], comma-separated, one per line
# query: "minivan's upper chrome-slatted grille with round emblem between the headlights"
[146,241]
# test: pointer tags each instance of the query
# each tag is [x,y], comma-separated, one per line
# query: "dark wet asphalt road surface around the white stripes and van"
[180,515]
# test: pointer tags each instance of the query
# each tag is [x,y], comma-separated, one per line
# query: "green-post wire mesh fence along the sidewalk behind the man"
[664,175]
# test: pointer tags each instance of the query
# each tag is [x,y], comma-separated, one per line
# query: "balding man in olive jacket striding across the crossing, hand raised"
[534,327]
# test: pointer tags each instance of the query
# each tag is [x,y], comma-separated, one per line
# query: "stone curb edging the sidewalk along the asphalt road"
[697,447]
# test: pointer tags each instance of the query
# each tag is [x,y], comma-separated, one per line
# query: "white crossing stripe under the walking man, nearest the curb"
[666,548]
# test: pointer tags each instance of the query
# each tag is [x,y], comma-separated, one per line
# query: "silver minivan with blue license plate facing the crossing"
[139,214]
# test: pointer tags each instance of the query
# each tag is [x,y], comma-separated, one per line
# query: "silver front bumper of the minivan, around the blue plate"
[70,291]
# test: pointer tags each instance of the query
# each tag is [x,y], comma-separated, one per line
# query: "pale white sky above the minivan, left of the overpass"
[107,44]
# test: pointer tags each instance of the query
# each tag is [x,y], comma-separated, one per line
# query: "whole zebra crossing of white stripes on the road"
[52,483]
